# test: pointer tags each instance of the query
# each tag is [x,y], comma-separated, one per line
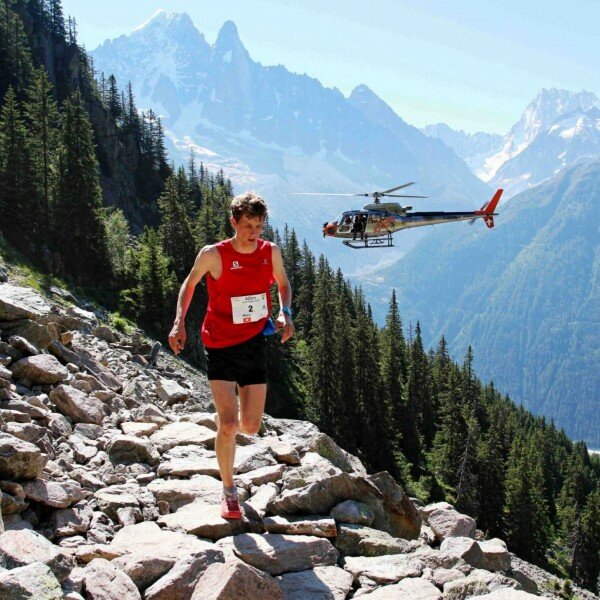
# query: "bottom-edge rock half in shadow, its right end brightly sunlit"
[322,582]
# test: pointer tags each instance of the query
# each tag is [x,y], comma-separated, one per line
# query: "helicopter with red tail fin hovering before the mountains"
[376,222]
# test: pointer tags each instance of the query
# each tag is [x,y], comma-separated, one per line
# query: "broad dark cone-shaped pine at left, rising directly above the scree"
[78,230]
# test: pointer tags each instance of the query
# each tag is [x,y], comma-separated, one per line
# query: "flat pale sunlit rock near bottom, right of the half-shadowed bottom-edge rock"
[383,569]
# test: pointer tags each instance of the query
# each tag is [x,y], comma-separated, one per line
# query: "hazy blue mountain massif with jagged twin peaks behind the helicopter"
[276,131]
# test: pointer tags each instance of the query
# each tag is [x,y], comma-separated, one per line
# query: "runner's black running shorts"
[244,363]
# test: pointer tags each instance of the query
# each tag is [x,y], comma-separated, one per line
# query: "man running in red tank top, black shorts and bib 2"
[239,275]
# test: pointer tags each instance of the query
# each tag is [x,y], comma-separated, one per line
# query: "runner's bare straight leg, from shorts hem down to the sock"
[227,408]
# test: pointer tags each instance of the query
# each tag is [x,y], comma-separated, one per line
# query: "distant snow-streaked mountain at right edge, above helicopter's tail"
[557,129]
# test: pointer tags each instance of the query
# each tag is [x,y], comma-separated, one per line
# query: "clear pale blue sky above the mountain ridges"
[473,64]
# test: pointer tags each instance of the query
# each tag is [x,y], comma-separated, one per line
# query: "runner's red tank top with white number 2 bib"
[234,299]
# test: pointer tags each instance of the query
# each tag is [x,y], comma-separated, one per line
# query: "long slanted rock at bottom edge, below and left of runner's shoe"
[180,581]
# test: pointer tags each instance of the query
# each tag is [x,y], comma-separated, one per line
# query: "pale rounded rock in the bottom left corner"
[35,581]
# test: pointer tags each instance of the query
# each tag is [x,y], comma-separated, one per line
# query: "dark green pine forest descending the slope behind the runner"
[377,391]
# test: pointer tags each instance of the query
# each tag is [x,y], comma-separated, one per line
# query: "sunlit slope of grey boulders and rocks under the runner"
[110,489]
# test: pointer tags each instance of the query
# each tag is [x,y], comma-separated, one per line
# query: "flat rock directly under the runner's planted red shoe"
[204,520]
